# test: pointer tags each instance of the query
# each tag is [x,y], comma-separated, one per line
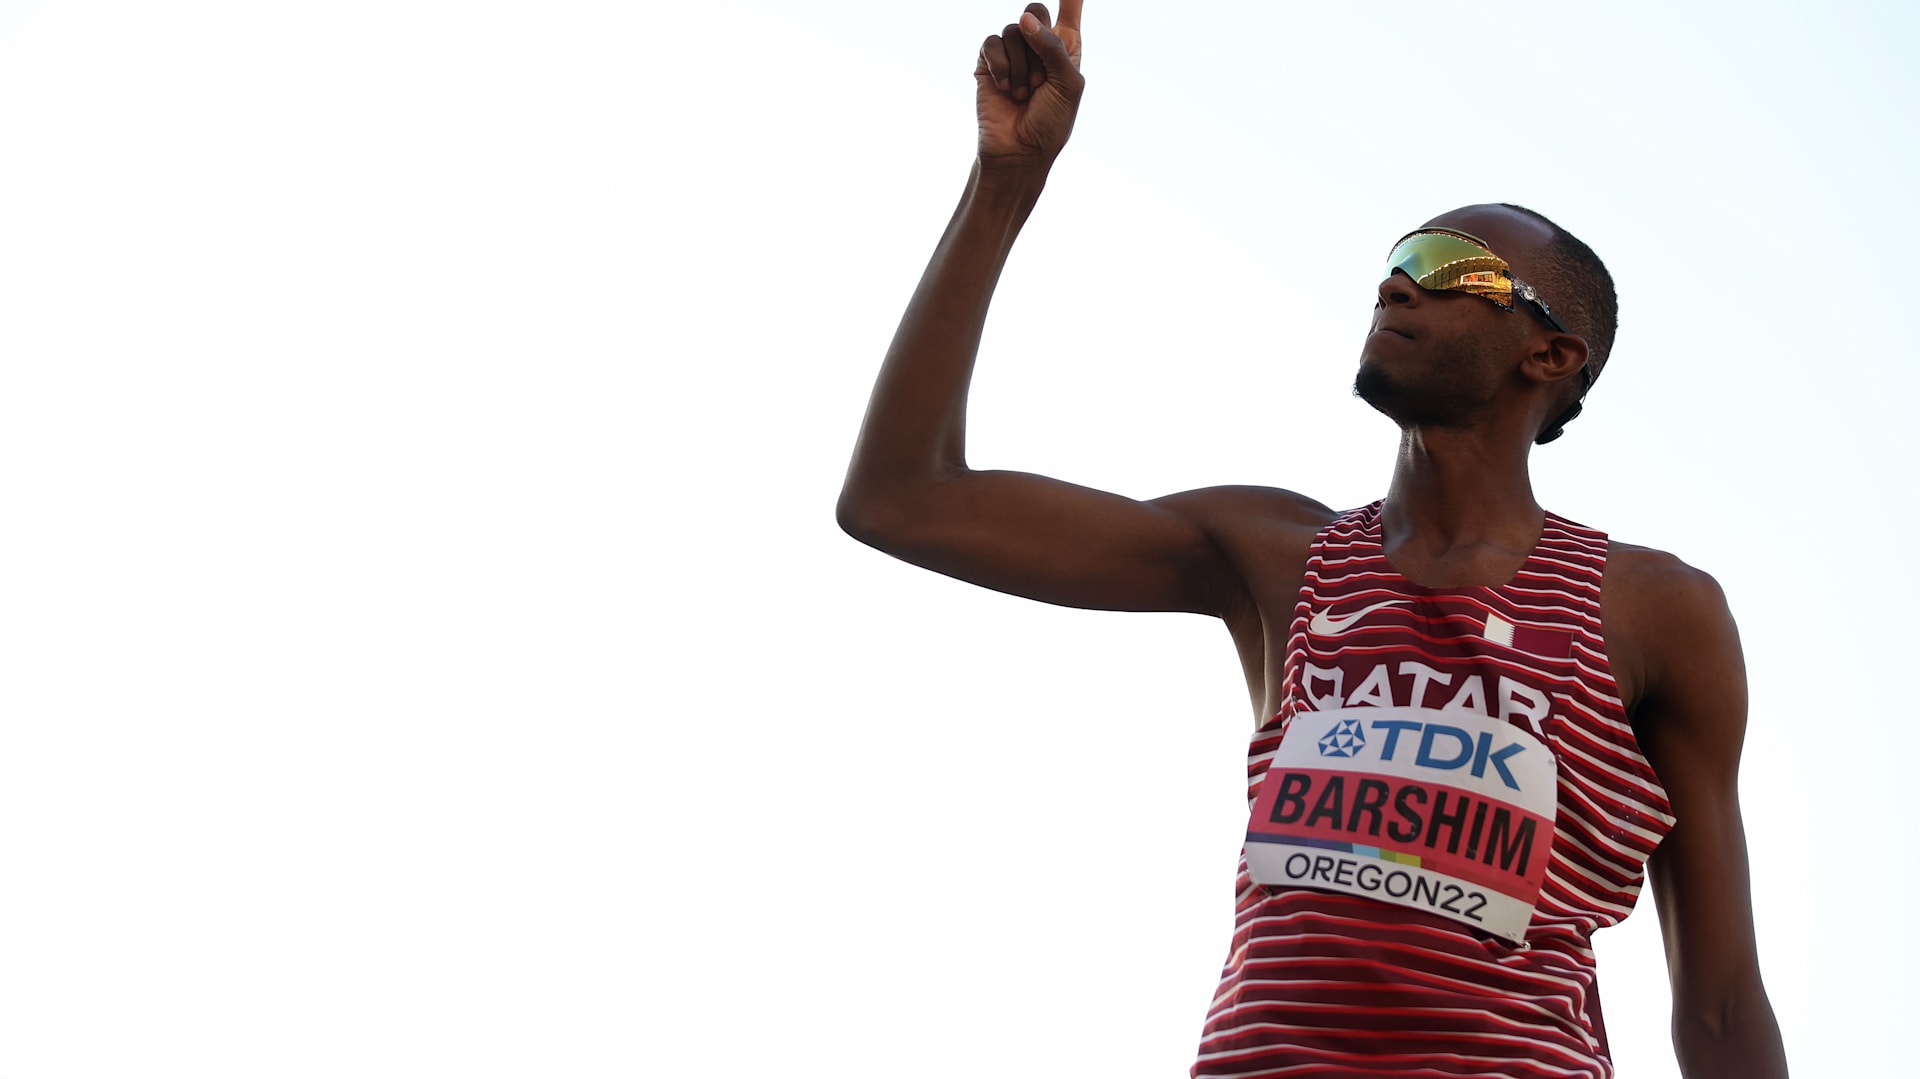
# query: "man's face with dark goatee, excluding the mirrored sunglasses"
[1443,358]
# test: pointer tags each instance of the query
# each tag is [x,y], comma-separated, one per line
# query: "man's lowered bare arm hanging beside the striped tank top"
[1692,721]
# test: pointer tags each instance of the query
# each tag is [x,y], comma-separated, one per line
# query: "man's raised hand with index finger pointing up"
[1028,87]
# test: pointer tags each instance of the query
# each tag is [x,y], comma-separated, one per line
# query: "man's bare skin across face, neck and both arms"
[1468,383]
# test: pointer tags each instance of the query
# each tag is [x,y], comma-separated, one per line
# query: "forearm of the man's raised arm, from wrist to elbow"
[917,418]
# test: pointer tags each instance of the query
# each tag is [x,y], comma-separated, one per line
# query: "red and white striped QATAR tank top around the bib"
[1332,984]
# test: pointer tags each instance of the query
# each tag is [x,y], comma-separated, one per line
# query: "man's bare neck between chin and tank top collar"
[1456,504]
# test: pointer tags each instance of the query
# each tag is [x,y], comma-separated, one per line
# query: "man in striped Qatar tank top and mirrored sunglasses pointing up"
[1479,723]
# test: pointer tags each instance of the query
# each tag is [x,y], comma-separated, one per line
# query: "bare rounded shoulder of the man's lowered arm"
[1662,617]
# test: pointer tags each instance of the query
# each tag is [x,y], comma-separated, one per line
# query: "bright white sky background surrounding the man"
[425,642]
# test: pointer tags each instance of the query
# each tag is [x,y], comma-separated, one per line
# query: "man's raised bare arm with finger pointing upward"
[909,489]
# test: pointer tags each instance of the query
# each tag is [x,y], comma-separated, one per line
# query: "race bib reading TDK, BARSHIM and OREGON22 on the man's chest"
[1445,811]
